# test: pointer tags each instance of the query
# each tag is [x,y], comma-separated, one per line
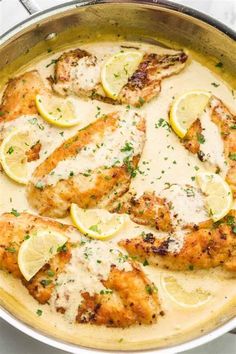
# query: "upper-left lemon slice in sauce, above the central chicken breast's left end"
[57,111]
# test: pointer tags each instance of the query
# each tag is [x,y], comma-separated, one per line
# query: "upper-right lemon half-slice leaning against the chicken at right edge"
[186,109]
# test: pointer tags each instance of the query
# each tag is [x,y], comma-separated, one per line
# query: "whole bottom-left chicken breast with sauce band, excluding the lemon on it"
[127,296]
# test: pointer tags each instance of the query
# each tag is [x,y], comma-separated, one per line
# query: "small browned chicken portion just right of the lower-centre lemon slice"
[148,210]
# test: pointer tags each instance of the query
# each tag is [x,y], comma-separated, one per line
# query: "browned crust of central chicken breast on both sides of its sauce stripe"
[103,186]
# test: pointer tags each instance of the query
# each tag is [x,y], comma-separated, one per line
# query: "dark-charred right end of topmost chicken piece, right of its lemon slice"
[145,83]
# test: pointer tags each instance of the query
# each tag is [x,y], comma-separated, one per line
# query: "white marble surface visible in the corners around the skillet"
[11,340]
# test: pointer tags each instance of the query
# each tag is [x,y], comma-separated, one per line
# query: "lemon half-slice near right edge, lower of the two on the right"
[219,196]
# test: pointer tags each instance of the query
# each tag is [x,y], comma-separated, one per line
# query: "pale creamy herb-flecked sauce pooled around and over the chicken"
[167,168]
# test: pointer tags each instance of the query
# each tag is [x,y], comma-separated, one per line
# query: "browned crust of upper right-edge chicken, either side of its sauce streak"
[226,123]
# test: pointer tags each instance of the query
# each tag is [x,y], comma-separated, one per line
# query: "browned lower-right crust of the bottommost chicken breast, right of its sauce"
[137,303]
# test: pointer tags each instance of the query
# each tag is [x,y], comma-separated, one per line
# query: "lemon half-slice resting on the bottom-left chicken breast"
[37,250]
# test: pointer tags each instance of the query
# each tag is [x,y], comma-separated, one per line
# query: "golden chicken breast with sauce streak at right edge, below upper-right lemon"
[213,138]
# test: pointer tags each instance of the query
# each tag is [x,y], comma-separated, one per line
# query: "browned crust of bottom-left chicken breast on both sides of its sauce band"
[133,301]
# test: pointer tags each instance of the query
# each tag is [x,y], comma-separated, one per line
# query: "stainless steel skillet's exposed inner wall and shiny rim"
[139,20]
